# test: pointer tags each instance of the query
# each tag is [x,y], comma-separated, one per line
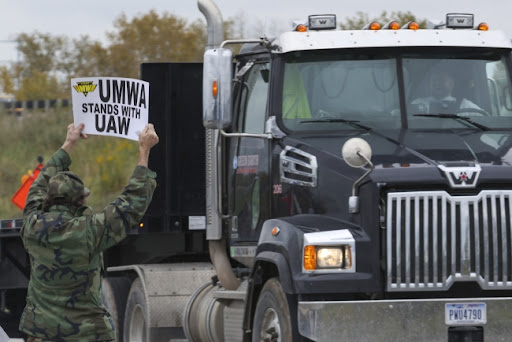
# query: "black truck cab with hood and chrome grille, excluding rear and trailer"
[366,175]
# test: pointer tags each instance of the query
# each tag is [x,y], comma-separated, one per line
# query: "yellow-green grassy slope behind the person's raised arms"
[103,163]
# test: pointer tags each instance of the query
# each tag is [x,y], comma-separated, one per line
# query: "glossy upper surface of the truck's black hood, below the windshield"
[417,148]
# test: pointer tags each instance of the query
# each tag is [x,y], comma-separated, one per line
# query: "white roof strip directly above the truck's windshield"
[317,40]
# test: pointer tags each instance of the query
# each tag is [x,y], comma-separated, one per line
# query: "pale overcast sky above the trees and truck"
[96,17]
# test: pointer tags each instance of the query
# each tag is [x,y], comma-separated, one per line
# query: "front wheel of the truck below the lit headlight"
[272,316]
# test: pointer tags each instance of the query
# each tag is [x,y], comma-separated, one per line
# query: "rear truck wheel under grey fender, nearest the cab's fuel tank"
[135,322]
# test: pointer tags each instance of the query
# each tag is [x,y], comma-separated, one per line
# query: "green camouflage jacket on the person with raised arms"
[65,246]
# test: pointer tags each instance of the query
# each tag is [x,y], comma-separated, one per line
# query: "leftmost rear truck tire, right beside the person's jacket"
[114,292]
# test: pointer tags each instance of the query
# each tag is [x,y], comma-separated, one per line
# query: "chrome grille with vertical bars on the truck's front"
[435,239]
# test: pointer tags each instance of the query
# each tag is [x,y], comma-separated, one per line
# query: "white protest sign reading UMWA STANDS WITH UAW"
[111,106]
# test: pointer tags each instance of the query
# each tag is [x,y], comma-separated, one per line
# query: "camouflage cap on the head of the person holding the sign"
[66,187]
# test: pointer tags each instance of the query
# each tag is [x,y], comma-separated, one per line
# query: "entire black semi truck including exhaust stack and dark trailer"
[349,185]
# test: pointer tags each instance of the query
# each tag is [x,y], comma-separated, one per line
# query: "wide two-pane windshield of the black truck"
[450,88]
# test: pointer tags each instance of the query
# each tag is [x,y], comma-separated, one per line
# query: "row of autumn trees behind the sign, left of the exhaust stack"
[47,62]
